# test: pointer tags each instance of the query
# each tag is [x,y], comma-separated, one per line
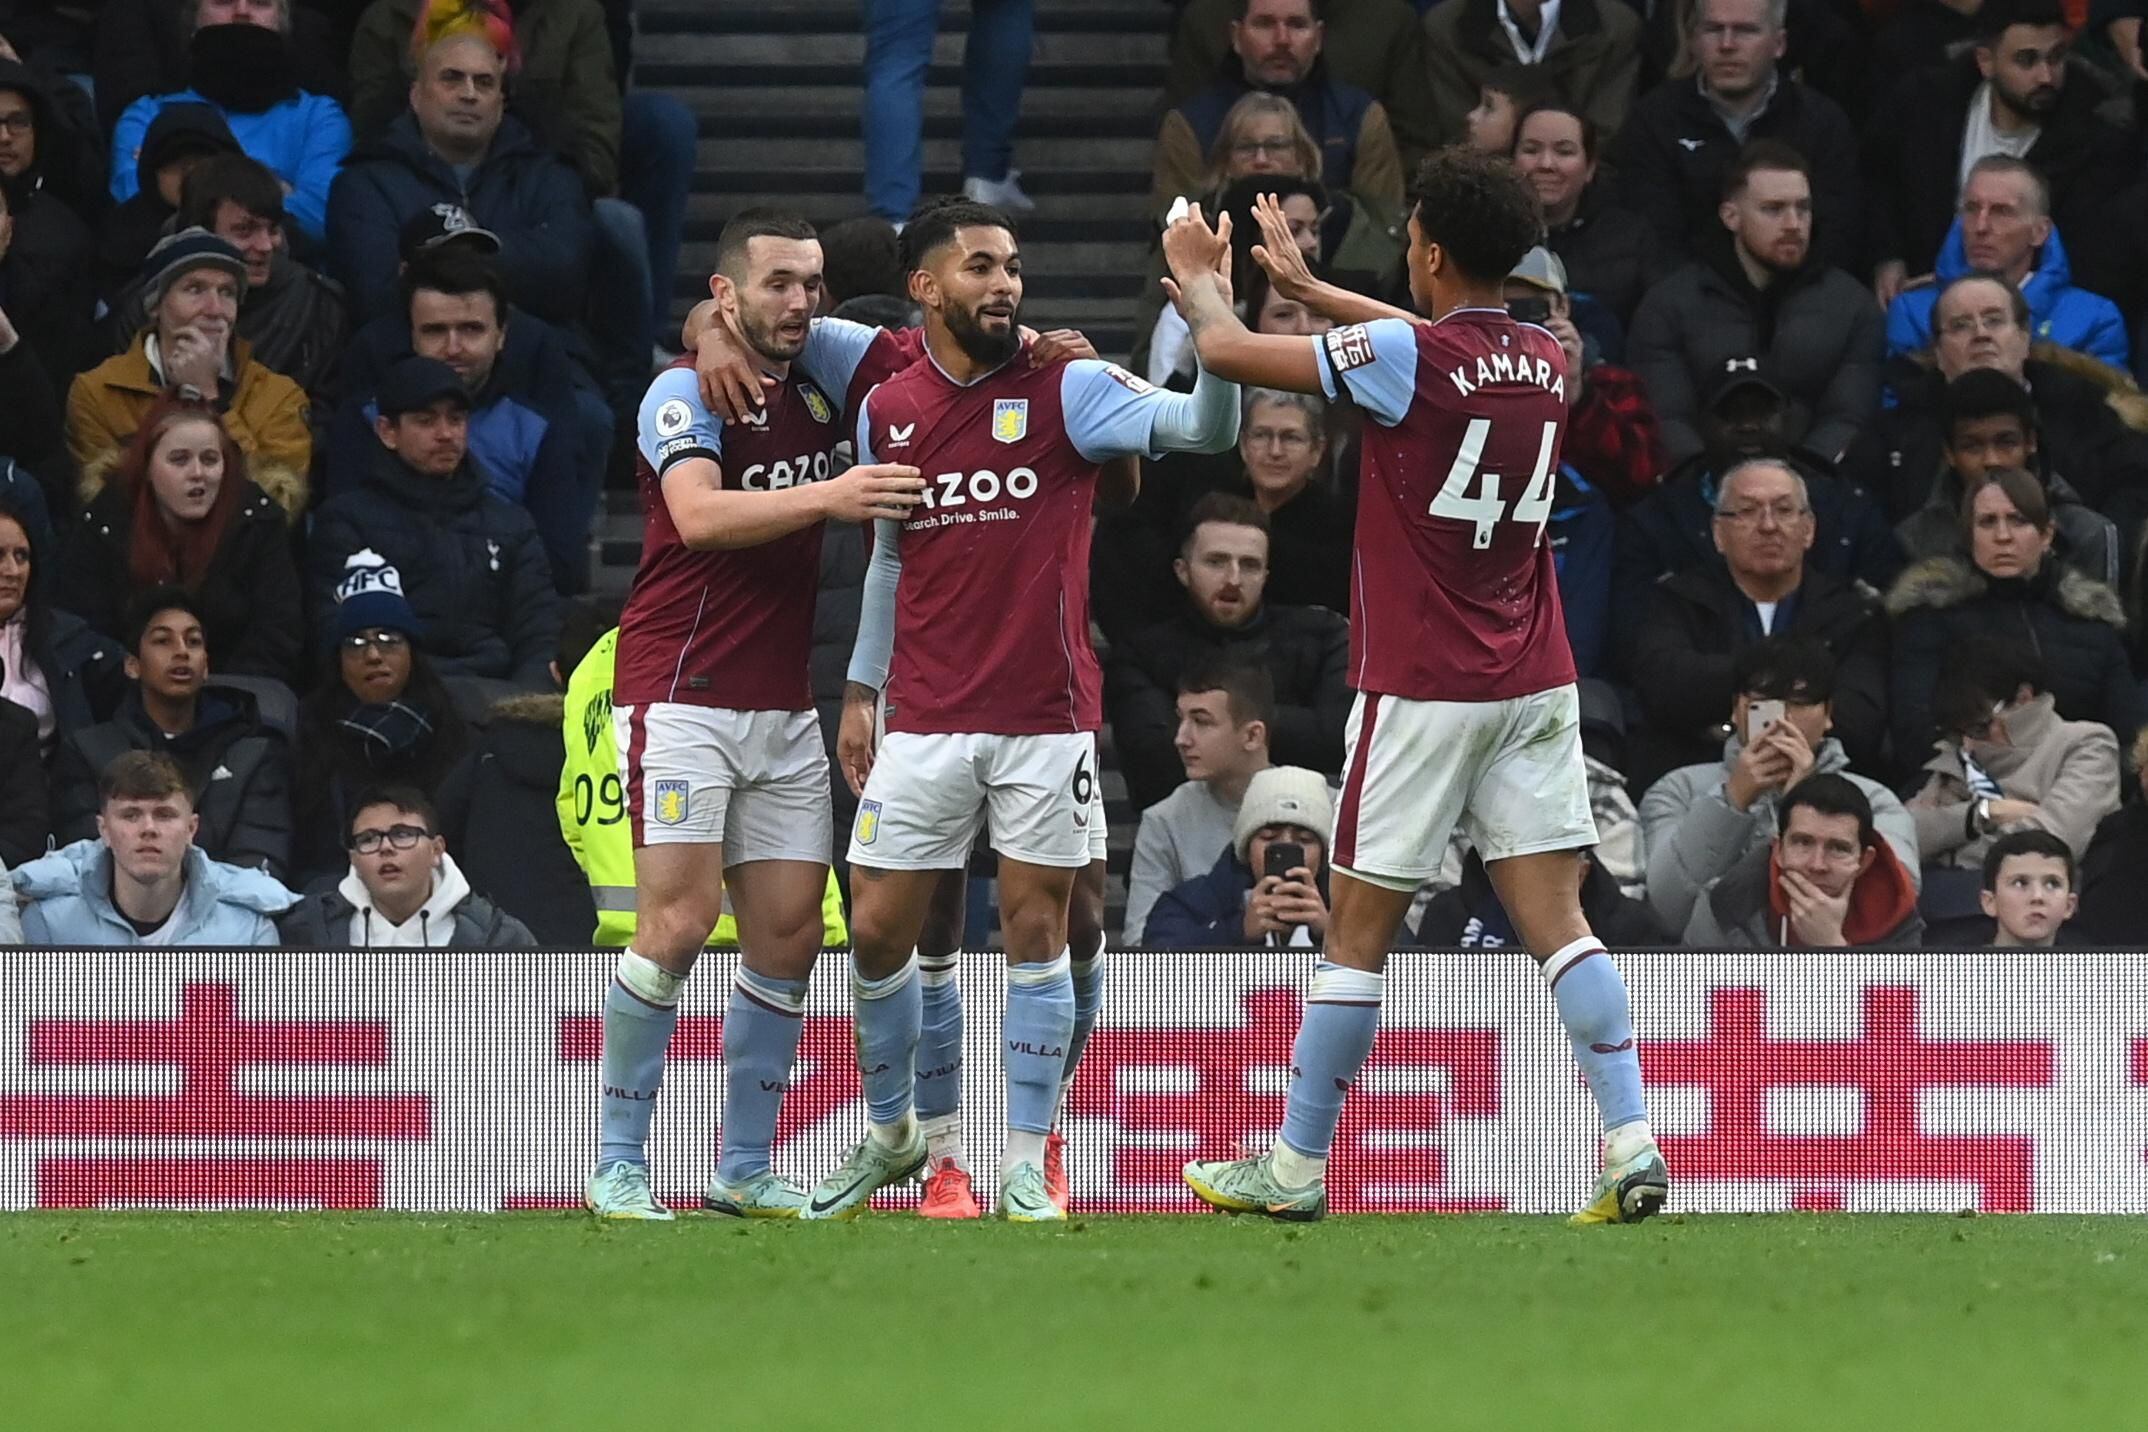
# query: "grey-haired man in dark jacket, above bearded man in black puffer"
[1687,136]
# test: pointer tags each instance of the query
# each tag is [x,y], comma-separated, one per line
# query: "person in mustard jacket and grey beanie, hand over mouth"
[190,345]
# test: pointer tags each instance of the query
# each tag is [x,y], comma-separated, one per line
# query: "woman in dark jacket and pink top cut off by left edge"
[50,662]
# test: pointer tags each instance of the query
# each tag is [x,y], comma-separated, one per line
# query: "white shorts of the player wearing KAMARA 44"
[1509,774]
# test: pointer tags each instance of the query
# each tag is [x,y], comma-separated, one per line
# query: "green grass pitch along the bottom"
[551,1321]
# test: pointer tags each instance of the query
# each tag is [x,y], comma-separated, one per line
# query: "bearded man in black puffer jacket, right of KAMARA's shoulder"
[1758,287]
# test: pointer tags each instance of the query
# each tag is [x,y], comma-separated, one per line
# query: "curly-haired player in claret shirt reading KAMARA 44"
[1466,686]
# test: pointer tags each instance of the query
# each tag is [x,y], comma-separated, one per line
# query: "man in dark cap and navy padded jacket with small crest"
[474,566]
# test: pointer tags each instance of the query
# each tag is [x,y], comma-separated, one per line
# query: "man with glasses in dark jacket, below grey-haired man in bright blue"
[1982,321]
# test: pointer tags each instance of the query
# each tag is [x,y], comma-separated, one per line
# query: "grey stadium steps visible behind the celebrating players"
[779,93]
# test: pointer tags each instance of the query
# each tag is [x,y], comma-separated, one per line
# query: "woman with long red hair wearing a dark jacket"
[184,512]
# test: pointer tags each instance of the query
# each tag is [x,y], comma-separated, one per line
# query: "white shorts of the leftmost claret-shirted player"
[753,780]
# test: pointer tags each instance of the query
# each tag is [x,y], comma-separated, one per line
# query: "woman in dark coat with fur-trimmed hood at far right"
[2009,587]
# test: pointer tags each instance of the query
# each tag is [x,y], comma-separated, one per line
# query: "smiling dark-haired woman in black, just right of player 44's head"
[1610,254]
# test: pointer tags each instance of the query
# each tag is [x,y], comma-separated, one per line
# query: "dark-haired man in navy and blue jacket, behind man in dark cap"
[525,426]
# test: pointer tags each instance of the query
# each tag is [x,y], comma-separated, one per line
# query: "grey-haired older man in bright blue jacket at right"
[2007,229]
